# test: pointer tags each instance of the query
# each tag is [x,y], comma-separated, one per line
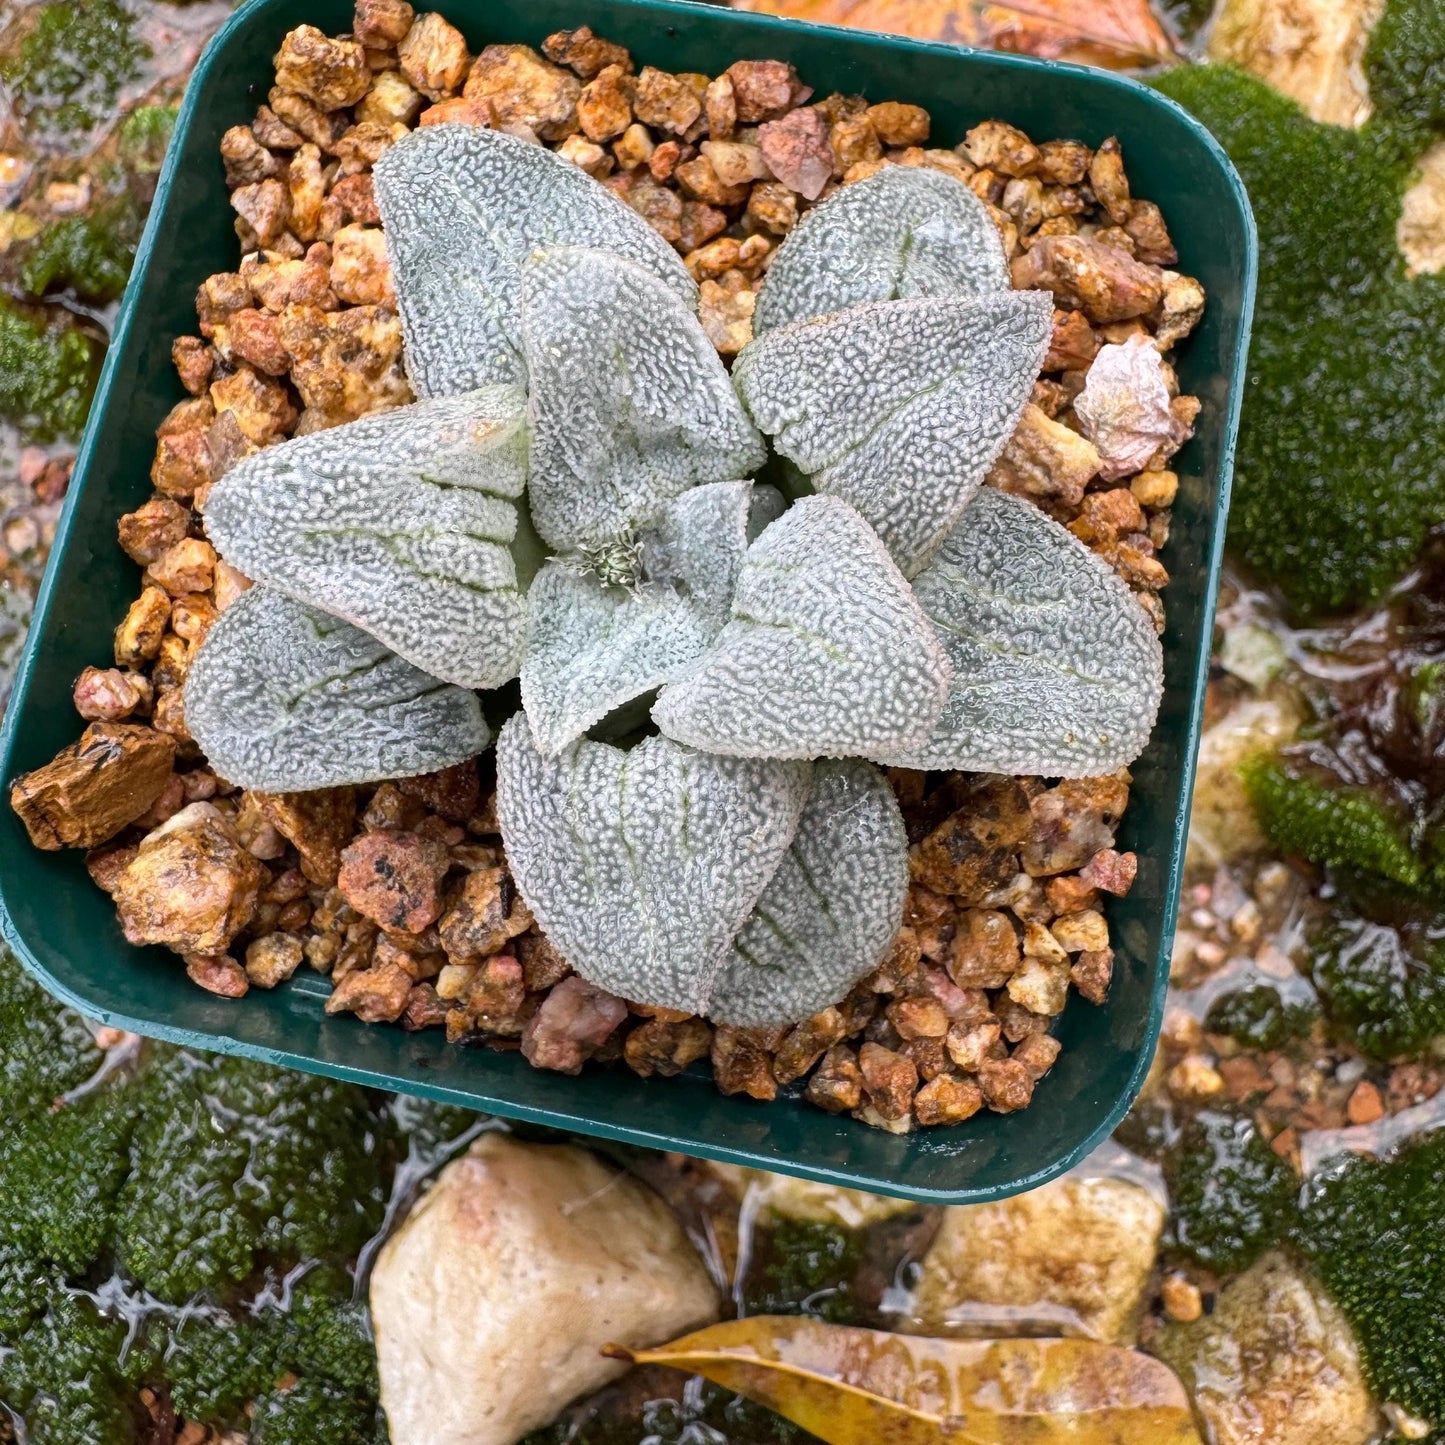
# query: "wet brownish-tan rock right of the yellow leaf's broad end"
[1275,1365]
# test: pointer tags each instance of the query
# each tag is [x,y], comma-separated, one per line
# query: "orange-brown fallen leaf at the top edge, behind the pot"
[1113,34]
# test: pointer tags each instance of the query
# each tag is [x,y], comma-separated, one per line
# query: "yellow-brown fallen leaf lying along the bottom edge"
[869,1388]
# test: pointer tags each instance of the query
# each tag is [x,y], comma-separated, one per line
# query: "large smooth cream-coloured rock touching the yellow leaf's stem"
[495,1298]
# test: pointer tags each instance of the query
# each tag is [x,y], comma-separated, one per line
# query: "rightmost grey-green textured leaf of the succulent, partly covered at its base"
[1057,668]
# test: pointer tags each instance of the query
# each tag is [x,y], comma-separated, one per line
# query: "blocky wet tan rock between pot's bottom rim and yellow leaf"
[1073,1256]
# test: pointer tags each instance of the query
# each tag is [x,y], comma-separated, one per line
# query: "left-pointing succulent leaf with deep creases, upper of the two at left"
[401,524]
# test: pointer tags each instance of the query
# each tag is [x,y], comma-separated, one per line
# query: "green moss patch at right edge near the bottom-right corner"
[1376,1232]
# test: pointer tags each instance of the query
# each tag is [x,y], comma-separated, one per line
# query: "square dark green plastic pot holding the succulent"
[66,928]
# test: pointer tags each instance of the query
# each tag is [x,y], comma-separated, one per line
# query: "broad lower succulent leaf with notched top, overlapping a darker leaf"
[642,866]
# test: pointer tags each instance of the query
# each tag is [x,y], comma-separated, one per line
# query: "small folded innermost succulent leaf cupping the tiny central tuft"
[592,648]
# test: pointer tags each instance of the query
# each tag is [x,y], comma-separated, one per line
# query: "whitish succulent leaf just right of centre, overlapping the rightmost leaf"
[826,654]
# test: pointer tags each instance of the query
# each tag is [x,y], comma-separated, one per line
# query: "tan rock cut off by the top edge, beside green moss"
[1310,50]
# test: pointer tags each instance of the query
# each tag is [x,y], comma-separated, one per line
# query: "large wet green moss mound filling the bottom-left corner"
[186,1181]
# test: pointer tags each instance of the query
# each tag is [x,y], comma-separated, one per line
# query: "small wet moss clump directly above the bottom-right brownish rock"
[1232,1194]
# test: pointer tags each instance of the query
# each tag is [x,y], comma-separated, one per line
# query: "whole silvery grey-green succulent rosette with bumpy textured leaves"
[689,798]
